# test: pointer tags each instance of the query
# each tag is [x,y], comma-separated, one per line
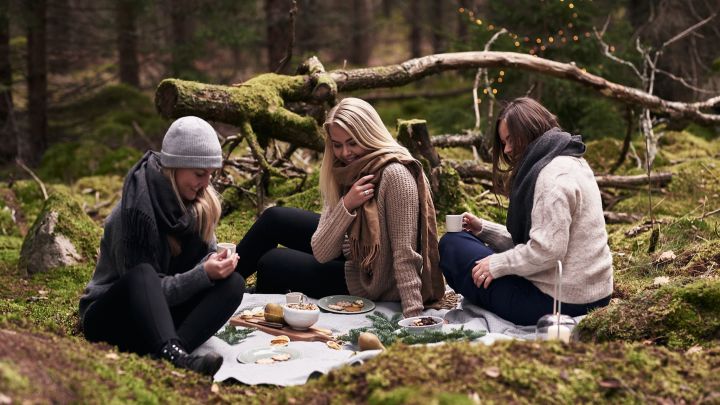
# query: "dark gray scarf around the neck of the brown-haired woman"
[539,153]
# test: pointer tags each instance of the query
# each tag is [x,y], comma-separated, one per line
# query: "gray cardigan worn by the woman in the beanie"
[109,268]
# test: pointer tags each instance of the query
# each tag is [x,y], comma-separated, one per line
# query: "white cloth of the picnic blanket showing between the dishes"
[316,358]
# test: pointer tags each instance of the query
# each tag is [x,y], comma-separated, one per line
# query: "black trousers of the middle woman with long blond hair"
[294,267]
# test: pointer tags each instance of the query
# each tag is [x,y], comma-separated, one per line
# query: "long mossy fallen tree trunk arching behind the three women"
[261,100]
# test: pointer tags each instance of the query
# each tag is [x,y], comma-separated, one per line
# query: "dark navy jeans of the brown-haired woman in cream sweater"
[513,298]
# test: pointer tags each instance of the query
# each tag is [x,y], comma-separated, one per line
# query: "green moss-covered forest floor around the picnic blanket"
[656,342]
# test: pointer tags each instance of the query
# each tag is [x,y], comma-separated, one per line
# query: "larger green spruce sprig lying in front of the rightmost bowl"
[389,332]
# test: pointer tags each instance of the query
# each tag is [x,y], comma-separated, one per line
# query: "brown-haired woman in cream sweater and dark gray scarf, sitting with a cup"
[555,213]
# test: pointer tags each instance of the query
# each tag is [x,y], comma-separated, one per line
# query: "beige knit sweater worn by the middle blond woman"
[396,271]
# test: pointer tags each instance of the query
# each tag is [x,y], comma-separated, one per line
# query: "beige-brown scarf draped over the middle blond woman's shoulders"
[364,233]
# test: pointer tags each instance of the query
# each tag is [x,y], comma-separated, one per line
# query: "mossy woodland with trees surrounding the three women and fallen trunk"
[77,89]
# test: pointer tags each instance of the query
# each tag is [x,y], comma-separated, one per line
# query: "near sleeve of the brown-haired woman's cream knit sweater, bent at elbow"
[555,199]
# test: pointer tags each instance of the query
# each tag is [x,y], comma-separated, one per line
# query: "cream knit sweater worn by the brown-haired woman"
[567,225]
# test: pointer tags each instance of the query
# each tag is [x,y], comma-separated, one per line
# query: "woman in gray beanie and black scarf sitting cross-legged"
[159,288]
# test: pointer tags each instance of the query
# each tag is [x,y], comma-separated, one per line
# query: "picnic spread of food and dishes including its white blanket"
[258,351]
